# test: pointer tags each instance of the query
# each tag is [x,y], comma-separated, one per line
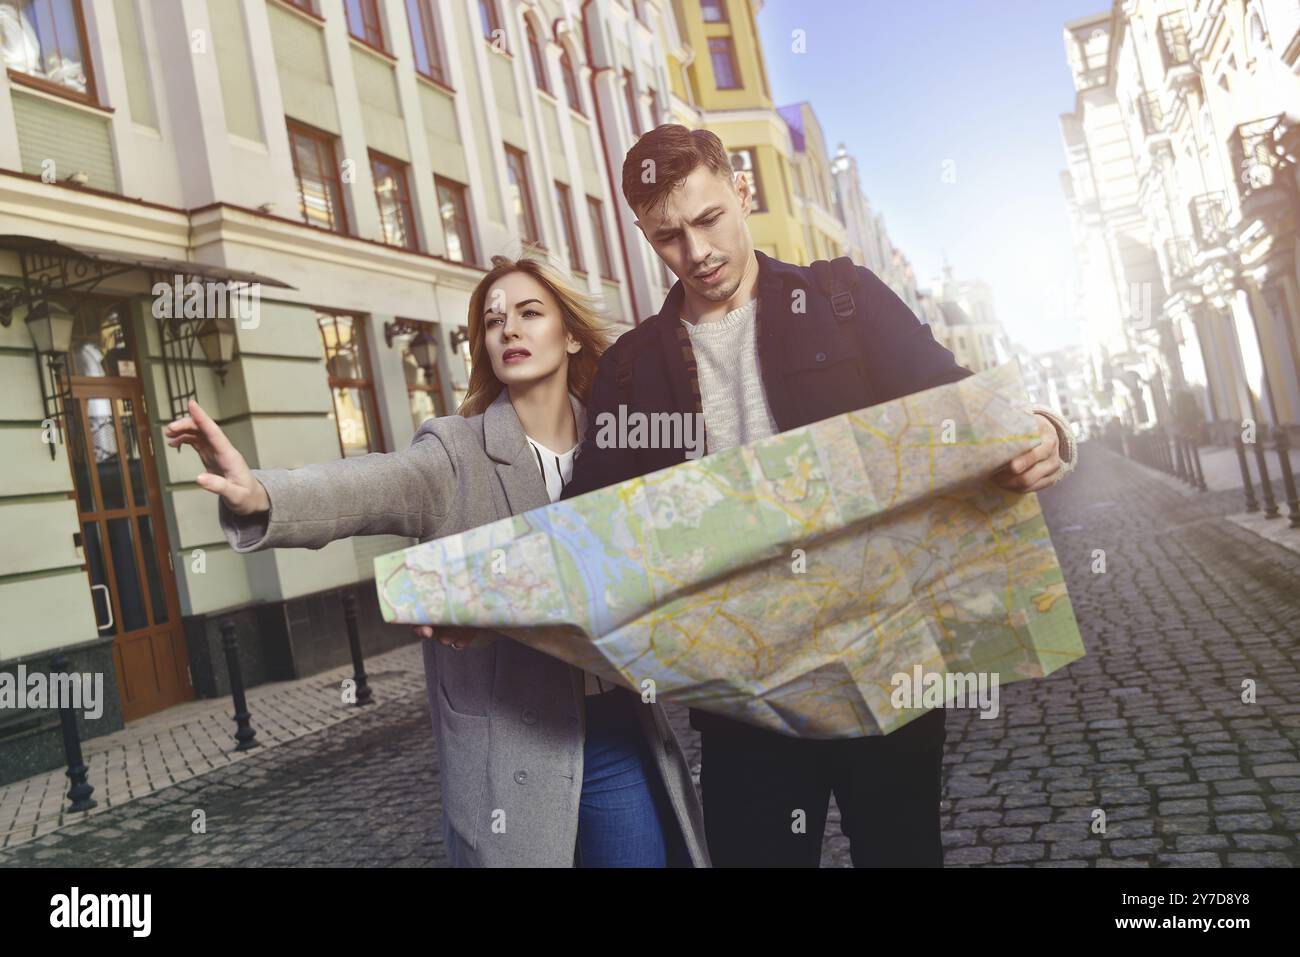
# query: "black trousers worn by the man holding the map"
[768,795]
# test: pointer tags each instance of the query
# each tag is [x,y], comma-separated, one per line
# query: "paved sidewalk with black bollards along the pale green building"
[190,741]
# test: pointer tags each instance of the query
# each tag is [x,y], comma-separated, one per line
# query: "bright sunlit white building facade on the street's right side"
[1182,192]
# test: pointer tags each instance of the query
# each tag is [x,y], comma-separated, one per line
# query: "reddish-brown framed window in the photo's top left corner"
[46,41]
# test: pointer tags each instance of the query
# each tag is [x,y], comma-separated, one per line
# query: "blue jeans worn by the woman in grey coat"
[622,813]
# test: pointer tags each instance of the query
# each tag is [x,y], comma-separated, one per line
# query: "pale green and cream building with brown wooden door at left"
[280,209]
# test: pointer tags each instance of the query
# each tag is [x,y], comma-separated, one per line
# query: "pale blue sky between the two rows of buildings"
[972,88]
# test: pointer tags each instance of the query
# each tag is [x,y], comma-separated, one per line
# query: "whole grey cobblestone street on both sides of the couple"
[1150,728]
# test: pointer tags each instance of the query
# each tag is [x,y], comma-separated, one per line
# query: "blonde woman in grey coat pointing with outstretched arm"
[541,764]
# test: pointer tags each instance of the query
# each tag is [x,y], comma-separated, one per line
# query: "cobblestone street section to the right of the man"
[1150,728]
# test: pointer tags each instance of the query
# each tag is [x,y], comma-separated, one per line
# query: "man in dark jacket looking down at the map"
[755,345]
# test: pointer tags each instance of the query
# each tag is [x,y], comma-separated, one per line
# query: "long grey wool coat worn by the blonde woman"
[509,721]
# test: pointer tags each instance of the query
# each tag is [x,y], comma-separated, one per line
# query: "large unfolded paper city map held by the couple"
[792,583]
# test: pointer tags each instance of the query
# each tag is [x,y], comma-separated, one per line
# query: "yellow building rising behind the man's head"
[726,86]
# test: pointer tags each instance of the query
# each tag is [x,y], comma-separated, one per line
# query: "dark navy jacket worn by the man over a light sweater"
[811,370]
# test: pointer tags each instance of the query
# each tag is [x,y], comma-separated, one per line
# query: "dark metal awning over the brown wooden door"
[93,265]
